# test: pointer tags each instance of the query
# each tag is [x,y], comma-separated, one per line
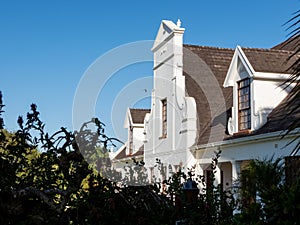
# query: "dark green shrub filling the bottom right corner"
[266,197]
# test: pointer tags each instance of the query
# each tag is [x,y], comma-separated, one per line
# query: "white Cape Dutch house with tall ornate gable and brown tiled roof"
[207,99]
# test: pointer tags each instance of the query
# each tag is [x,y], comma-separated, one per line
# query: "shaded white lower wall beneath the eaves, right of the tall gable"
[235,153]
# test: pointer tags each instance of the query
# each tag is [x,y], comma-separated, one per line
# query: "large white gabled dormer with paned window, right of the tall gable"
[255,93]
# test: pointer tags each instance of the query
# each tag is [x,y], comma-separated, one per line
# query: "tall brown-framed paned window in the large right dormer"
[244,104]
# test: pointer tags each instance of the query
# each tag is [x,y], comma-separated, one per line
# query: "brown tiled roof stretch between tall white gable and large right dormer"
[212,61]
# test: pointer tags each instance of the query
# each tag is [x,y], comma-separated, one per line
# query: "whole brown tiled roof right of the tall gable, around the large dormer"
[215,61]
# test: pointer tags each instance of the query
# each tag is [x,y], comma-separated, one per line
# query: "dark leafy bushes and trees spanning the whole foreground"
[45,179]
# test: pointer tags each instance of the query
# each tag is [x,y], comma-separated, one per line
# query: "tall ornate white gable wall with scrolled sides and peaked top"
[169,83]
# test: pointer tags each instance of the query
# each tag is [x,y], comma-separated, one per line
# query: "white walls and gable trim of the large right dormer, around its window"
[265,90]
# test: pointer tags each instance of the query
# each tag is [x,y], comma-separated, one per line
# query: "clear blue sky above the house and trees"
[46,47]
